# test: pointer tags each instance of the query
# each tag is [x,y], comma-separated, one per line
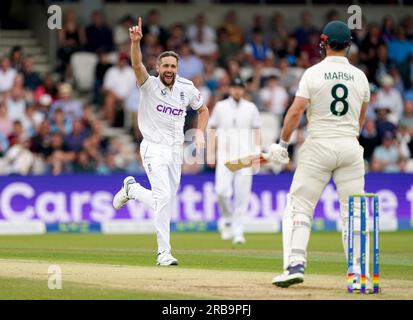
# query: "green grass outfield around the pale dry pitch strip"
[198,251]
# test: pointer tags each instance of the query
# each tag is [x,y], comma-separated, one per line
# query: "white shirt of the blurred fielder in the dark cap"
[234,123]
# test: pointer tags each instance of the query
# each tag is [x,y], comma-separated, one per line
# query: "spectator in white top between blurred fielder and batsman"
[275,97]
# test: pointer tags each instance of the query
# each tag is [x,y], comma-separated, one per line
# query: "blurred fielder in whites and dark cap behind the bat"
[236,123]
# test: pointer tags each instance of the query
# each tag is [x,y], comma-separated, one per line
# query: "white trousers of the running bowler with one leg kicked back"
[163,166]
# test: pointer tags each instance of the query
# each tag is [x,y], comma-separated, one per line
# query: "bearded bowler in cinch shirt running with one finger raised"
[161,117]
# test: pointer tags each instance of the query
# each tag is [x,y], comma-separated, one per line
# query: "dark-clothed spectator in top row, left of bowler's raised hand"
[98,34]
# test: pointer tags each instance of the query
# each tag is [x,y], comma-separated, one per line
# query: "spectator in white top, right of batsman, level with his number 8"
[390,97]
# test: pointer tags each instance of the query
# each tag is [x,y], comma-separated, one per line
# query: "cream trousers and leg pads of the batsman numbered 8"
[320,160]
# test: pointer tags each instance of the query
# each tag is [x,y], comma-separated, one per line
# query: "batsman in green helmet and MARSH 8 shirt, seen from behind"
[337,95]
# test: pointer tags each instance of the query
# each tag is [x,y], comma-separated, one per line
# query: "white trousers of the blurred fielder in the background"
[228,183]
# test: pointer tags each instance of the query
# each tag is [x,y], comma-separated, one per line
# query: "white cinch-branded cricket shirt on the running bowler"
[161,112]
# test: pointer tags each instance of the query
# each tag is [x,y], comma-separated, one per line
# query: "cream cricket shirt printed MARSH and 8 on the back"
[336,91]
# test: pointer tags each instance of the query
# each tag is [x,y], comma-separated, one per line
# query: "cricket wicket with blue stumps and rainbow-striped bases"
[350,272]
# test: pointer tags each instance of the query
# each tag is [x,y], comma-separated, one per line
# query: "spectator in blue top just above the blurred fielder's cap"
[257,50]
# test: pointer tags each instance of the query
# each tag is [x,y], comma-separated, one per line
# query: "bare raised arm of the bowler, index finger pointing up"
[135,34]
